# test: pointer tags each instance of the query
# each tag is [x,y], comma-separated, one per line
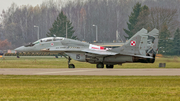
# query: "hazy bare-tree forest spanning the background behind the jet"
[109,15]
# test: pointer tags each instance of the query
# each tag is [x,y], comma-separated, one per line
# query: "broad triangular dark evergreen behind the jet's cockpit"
[59,27]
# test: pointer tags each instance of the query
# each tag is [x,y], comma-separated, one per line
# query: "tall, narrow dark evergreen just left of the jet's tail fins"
[133,19]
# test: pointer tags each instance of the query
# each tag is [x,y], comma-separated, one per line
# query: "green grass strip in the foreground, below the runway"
[89,88]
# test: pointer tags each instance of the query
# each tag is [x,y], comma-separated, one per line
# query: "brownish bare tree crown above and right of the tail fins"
[160,16]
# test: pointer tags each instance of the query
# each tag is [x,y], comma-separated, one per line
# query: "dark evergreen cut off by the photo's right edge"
[176,42]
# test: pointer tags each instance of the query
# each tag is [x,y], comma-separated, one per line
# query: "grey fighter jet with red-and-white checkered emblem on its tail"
[139,49]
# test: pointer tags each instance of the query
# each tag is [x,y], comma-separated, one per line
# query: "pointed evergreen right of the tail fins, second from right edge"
[165,44]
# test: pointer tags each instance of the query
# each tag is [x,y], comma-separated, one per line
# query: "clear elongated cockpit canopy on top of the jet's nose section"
[49,39]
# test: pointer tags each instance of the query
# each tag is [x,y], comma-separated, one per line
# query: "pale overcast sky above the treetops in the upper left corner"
[5,4]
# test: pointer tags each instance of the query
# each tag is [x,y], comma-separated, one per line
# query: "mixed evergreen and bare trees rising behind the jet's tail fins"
[161,18]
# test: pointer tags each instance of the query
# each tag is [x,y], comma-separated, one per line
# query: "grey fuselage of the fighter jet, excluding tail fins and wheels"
[77,50]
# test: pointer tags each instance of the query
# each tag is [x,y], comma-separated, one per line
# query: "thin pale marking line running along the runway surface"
[67,71]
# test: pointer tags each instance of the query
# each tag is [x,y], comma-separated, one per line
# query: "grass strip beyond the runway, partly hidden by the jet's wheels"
[51,62]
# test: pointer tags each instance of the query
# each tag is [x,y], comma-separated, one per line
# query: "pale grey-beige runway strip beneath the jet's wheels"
[100,72]
